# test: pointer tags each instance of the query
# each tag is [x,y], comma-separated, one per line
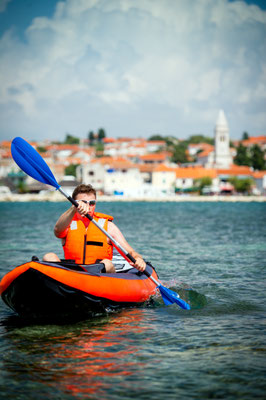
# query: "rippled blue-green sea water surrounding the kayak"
[216,350]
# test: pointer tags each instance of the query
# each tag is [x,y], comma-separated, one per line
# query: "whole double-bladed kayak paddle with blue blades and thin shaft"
[30,161]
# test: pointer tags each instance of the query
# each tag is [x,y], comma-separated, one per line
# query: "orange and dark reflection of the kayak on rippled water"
[82,359]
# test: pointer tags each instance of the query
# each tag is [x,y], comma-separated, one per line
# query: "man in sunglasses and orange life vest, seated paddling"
[82,241]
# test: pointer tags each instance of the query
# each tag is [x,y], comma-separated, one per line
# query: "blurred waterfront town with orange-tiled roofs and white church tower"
[137,168]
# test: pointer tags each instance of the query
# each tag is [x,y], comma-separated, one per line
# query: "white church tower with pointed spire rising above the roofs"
[222,155]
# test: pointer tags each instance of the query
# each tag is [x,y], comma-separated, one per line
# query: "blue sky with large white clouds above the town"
[133,67]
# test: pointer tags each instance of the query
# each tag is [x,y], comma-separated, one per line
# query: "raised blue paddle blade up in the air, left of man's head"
[30,161]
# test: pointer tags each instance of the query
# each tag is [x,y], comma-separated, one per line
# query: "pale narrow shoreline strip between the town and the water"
[57,197]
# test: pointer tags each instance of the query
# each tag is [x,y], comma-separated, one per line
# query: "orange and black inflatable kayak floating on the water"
[48,289]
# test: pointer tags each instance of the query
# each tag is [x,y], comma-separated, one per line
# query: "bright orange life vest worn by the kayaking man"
[86,245]
